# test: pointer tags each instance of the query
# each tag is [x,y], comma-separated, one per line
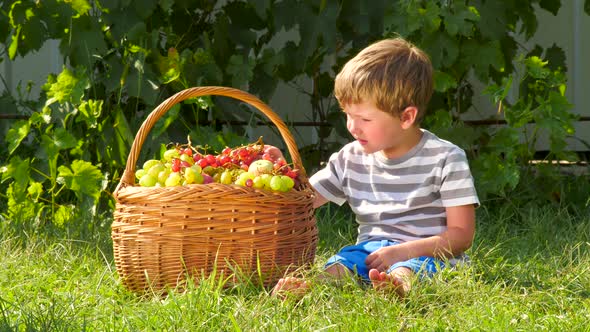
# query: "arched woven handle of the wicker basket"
[128,177]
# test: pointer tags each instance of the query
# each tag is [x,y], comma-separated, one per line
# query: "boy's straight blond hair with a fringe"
[391,73]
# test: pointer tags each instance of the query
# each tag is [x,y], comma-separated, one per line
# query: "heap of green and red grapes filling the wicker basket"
[247,165]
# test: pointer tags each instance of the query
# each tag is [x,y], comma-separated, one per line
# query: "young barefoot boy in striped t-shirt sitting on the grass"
[412,192]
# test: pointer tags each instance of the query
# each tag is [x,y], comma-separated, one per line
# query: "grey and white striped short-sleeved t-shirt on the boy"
[400,199]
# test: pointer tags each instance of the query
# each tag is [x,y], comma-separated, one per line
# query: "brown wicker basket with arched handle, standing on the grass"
[164,235]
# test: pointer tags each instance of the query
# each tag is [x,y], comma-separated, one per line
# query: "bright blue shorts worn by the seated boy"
[353,257]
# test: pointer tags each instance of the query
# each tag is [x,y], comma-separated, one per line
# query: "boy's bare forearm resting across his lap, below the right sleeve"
[454,241]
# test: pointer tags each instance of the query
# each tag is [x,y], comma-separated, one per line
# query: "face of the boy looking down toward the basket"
[374,129]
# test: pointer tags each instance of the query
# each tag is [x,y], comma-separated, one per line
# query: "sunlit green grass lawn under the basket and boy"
[530,272]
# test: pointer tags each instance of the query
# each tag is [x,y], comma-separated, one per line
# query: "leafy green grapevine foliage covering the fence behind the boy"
[124,57]
